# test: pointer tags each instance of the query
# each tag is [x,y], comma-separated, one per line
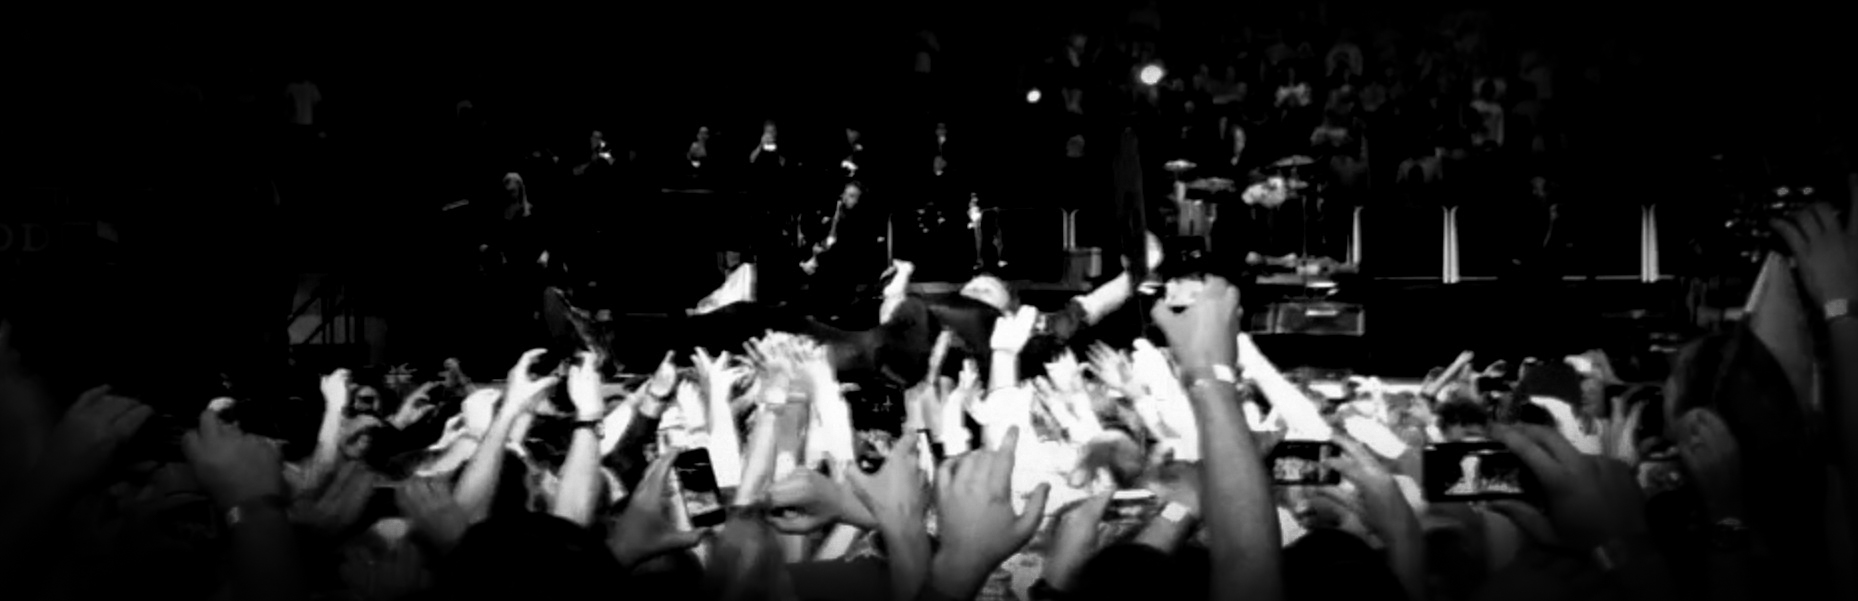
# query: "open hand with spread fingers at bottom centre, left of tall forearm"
[976,520]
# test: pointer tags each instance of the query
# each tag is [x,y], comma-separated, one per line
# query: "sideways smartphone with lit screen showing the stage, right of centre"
[1476,472]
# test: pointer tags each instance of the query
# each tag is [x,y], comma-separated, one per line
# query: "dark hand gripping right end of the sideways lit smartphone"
[1591,500]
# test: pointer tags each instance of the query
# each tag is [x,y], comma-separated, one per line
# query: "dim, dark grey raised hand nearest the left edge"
[88,436]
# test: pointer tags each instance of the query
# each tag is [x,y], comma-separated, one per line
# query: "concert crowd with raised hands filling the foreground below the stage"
[1112,474]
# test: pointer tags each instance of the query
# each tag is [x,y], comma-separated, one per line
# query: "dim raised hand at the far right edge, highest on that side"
[1825,252]
